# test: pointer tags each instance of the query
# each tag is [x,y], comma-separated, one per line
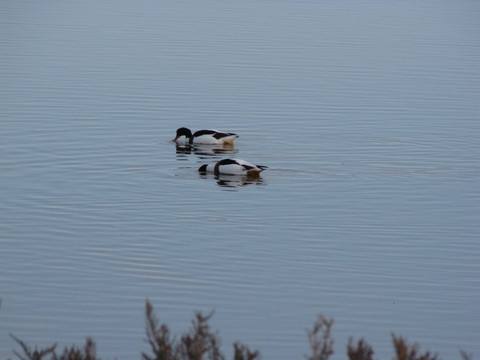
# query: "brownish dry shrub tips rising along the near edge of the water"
[200,343]
